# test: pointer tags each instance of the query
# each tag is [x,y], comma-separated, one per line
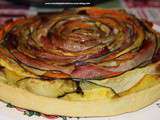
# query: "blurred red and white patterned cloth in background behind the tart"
[145,9]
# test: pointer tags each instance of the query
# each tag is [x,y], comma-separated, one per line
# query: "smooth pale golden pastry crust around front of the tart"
[127,103]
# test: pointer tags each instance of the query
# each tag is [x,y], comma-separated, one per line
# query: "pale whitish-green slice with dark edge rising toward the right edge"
[129,79]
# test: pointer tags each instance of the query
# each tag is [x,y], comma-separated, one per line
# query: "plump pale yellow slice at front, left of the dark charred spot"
[53,88]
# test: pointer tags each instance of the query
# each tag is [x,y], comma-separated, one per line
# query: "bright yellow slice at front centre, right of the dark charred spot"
[91,92]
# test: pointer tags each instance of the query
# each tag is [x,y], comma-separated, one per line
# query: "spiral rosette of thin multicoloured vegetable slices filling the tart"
[74,51]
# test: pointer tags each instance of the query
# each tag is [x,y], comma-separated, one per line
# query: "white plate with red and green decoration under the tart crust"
[151,112]
